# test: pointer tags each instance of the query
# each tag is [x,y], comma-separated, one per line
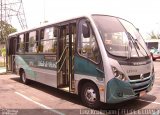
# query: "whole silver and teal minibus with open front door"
[102,58]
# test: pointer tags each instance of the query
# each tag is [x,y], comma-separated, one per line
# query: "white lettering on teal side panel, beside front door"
[49,64]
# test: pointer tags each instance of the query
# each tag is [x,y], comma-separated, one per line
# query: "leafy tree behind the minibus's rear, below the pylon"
[5,30]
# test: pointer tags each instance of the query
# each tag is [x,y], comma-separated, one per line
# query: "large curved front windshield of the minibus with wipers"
[120,37]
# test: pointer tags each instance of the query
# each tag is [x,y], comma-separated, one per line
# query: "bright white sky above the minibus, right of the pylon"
[144,14]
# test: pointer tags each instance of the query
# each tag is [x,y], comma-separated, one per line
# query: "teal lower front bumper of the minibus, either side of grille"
[119,91]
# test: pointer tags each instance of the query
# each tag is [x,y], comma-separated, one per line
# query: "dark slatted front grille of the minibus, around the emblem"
[139,85]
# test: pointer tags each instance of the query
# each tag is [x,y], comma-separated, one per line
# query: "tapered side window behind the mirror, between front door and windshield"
[87,44]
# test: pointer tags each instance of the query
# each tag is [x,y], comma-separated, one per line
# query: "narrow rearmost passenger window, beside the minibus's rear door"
[20,44]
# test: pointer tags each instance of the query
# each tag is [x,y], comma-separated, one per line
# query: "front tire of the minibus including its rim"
[90,95]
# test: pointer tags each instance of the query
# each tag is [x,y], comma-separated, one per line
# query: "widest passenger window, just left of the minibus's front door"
[48,40]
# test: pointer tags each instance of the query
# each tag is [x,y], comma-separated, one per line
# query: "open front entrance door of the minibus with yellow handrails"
[65,62]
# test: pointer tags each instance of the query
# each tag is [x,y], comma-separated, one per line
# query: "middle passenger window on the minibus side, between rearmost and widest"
[33,42]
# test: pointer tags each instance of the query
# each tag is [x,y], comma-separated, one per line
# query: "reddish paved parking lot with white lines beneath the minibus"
[36,98]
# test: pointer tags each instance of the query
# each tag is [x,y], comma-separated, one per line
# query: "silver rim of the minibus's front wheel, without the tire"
[90,95]
